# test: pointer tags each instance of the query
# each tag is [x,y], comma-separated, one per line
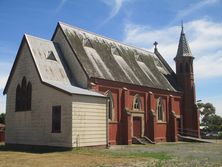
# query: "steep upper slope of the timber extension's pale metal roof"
[49,69]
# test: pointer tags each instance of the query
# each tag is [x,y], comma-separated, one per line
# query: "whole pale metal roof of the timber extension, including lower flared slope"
[52,71]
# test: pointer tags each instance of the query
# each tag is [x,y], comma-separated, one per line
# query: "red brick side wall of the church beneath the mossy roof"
[120,128]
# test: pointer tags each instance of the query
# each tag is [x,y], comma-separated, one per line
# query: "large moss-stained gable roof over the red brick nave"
[105,58]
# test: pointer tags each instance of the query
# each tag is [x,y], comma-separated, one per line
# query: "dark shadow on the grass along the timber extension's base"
[32,149]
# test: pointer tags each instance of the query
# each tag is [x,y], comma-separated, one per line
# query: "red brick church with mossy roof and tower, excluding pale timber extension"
[146,97]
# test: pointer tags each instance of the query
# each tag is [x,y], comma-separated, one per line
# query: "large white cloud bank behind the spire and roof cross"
[204,37]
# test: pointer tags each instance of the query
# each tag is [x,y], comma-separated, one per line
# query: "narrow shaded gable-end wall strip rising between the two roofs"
[76,70]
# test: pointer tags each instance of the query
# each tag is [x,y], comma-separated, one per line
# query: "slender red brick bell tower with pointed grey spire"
[185,78]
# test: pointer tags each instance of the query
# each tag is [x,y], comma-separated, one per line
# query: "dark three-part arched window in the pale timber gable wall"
[23,96]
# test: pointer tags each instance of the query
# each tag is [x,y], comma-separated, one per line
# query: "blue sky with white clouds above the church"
[135,22]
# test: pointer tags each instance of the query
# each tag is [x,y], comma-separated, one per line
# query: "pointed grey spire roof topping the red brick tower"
[183,47]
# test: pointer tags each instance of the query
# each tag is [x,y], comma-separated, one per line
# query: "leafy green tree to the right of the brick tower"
[210,120]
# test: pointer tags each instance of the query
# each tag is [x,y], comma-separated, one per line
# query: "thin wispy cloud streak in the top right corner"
[193,8]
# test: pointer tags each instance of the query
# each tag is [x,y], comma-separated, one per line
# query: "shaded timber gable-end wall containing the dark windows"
[34,127]
